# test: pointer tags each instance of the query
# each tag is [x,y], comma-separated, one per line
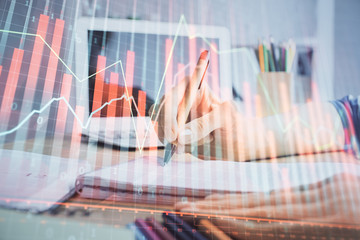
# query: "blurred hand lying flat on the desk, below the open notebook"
[333,201]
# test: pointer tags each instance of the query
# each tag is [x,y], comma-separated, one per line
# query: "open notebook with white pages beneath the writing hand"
[198,179]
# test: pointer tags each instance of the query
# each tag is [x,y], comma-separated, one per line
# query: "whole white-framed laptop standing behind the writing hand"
[124,66]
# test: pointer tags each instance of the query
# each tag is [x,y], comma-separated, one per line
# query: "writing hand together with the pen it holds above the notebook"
[192,119]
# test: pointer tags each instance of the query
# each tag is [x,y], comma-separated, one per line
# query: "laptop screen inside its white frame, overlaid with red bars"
[140,60]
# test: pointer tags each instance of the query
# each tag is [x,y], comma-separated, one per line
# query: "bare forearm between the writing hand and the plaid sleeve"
[308,128]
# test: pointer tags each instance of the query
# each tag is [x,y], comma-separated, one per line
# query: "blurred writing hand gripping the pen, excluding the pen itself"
[214,129]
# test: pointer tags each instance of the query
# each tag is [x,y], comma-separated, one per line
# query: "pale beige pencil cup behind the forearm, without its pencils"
[274,93]
